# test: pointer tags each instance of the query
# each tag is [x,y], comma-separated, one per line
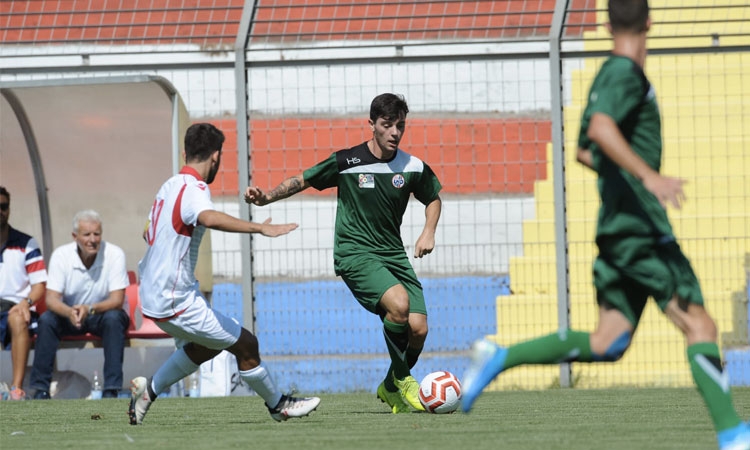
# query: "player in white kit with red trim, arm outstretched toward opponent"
[180,214]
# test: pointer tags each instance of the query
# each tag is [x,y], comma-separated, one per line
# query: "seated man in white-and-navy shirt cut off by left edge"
[22,279]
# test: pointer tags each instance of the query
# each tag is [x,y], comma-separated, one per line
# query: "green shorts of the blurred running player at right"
[630,270]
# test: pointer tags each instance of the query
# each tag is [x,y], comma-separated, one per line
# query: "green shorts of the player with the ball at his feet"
[368,277]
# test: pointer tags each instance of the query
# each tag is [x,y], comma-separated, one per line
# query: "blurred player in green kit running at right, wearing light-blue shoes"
[620,139]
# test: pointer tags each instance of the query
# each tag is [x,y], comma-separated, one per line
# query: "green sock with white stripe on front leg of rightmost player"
[713,384]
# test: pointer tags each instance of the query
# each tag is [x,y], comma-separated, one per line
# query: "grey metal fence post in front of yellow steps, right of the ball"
[558,174]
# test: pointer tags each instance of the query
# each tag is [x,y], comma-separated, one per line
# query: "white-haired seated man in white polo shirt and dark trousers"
[85,294]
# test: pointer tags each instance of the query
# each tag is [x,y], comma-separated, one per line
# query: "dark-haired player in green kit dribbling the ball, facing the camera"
[375,180]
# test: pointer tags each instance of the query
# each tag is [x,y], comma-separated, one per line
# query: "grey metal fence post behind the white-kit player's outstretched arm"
[243,162]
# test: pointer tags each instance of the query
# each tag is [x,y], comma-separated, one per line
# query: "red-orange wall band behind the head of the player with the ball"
[477,155]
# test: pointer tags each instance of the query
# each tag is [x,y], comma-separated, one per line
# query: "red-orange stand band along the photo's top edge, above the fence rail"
[216,23]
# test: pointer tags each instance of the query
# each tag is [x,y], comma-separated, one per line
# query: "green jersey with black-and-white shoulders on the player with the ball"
[372,197]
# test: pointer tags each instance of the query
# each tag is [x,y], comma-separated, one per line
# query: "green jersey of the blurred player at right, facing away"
[622,92]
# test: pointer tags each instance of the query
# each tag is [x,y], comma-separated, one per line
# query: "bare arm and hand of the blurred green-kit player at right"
[603,130]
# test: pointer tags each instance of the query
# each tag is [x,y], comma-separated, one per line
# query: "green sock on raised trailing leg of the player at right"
[551,349]
